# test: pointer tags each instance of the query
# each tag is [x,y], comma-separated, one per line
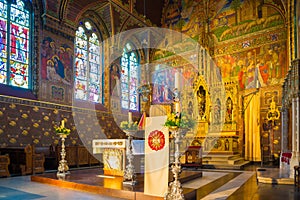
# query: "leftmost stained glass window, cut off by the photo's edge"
[15,43]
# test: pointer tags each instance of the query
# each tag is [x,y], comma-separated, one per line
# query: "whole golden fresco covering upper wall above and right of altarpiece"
[248,38]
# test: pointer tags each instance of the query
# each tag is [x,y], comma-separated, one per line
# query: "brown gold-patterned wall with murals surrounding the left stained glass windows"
[28,117]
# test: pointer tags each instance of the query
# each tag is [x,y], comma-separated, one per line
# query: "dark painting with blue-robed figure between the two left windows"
[57,61]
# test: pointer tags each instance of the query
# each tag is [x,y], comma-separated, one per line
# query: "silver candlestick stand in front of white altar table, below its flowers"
[129,174]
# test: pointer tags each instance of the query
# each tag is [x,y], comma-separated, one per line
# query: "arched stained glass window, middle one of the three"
[88,67]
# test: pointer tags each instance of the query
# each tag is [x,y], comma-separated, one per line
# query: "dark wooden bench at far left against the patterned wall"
[24,160]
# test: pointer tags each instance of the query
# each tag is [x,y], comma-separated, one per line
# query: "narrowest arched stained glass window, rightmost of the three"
[129,78]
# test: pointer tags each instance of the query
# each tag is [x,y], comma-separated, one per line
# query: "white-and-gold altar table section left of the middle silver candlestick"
[113,151]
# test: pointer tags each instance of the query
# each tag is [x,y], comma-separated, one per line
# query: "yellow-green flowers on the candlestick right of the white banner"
[179,120]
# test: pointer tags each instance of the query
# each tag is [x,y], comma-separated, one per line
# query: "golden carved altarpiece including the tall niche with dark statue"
[217,128]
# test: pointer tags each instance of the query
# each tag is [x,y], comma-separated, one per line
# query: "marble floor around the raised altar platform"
[214,184]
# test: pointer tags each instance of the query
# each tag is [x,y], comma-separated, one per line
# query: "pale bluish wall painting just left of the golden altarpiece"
[163,84]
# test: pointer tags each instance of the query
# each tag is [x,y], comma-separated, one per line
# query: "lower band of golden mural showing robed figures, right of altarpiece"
[258,67]
